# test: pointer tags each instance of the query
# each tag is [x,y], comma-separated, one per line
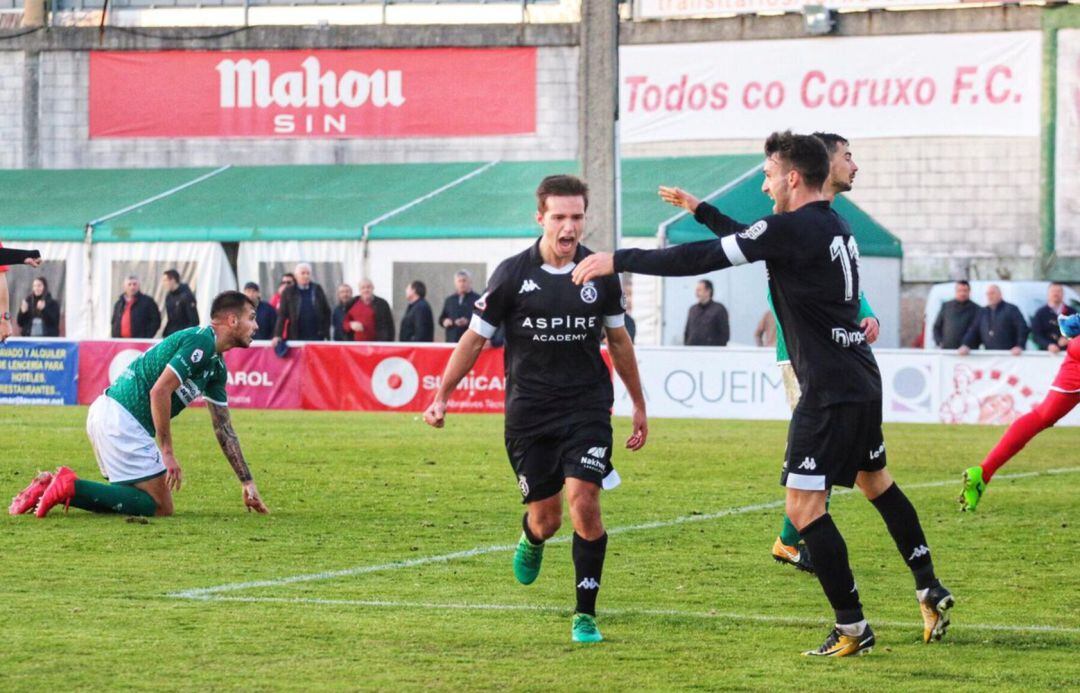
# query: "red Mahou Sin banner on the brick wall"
[362,93]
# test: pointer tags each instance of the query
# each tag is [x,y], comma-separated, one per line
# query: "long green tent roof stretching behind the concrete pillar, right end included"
[375,201]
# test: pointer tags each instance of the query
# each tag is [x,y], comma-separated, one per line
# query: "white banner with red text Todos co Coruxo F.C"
[962,85]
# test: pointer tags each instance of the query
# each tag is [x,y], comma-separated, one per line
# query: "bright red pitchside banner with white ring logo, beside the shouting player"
[389,378]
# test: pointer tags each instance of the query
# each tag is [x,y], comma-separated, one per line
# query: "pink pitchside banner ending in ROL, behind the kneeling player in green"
[258,378]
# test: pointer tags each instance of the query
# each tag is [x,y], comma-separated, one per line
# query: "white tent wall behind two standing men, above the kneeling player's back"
[205,266]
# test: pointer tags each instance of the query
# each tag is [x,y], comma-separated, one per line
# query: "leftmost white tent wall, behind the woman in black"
[74,257]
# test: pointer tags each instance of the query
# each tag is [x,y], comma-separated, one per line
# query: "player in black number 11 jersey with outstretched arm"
[835,434]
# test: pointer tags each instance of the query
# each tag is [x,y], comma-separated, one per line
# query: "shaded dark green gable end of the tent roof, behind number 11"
[744,200]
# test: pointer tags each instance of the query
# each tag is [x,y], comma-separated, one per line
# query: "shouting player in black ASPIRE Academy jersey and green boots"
[559,391]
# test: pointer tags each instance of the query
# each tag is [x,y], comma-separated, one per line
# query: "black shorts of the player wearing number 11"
[829,446]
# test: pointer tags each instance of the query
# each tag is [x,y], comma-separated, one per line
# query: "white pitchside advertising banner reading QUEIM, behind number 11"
[920,387]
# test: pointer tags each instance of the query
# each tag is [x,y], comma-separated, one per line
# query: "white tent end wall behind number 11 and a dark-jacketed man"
[742,290]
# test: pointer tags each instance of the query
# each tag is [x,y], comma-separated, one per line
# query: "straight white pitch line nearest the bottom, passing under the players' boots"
[725,616]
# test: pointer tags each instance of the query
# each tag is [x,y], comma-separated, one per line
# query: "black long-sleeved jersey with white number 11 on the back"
[813,262]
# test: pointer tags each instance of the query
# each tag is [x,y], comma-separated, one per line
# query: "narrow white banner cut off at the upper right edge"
[1068,145]
